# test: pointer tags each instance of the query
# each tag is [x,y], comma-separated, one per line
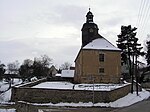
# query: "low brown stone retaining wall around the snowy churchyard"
[35,95]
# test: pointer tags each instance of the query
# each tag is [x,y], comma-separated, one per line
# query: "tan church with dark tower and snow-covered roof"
[98,60]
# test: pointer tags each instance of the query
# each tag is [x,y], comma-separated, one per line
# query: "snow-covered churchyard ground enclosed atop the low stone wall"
[67,85]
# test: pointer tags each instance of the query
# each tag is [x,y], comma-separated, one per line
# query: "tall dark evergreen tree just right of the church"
[127,42]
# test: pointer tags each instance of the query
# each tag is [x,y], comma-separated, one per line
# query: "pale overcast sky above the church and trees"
[30,28]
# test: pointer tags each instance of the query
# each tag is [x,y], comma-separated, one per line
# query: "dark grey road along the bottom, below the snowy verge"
[143,106]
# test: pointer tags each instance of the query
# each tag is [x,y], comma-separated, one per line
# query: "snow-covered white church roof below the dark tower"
[101,44]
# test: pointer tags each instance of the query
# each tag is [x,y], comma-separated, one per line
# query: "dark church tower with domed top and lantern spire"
[89,30]
